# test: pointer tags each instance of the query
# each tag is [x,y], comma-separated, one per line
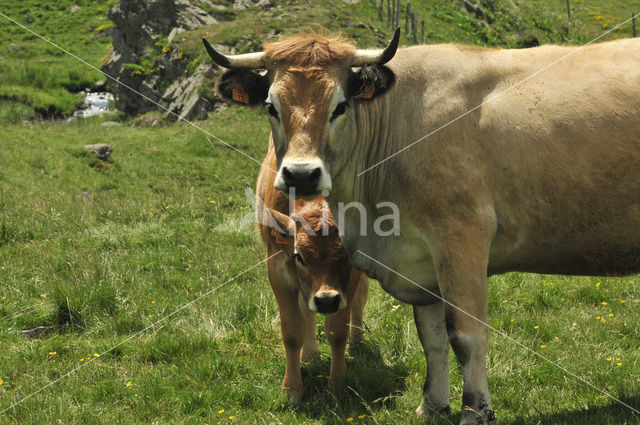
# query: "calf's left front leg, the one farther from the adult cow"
[292,326]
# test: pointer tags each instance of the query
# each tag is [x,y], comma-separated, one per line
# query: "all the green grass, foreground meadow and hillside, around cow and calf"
[94,255]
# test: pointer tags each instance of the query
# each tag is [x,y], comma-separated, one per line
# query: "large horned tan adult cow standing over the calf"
[544,178]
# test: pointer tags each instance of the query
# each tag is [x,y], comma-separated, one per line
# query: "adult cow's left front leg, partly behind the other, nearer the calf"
[433,336]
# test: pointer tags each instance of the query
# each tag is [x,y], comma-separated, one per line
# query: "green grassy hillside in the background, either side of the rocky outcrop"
[40,81]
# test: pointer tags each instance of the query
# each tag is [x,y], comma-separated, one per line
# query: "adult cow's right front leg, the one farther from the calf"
[461,259]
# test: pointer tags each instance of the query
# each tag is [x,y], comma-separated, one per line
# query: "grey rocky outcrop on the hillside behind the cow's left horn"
[138,27]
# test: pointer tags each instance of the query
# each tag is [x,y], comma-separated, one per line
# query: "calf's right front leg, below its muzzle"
[336,329]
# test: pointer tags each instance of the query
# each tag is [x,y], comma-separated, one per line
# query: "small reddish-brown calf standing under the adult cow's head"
[309,273]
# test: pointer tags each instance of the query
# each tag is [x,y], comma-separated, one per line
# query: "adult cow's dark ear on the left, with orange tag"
[243,86]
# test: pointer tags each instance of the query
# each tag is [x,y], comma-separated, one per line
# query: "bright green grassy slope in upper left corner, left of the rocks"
[40,76]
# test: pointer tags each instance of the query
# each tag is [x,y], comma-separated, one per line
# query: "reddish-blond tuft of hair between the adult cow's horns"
[314,48]
